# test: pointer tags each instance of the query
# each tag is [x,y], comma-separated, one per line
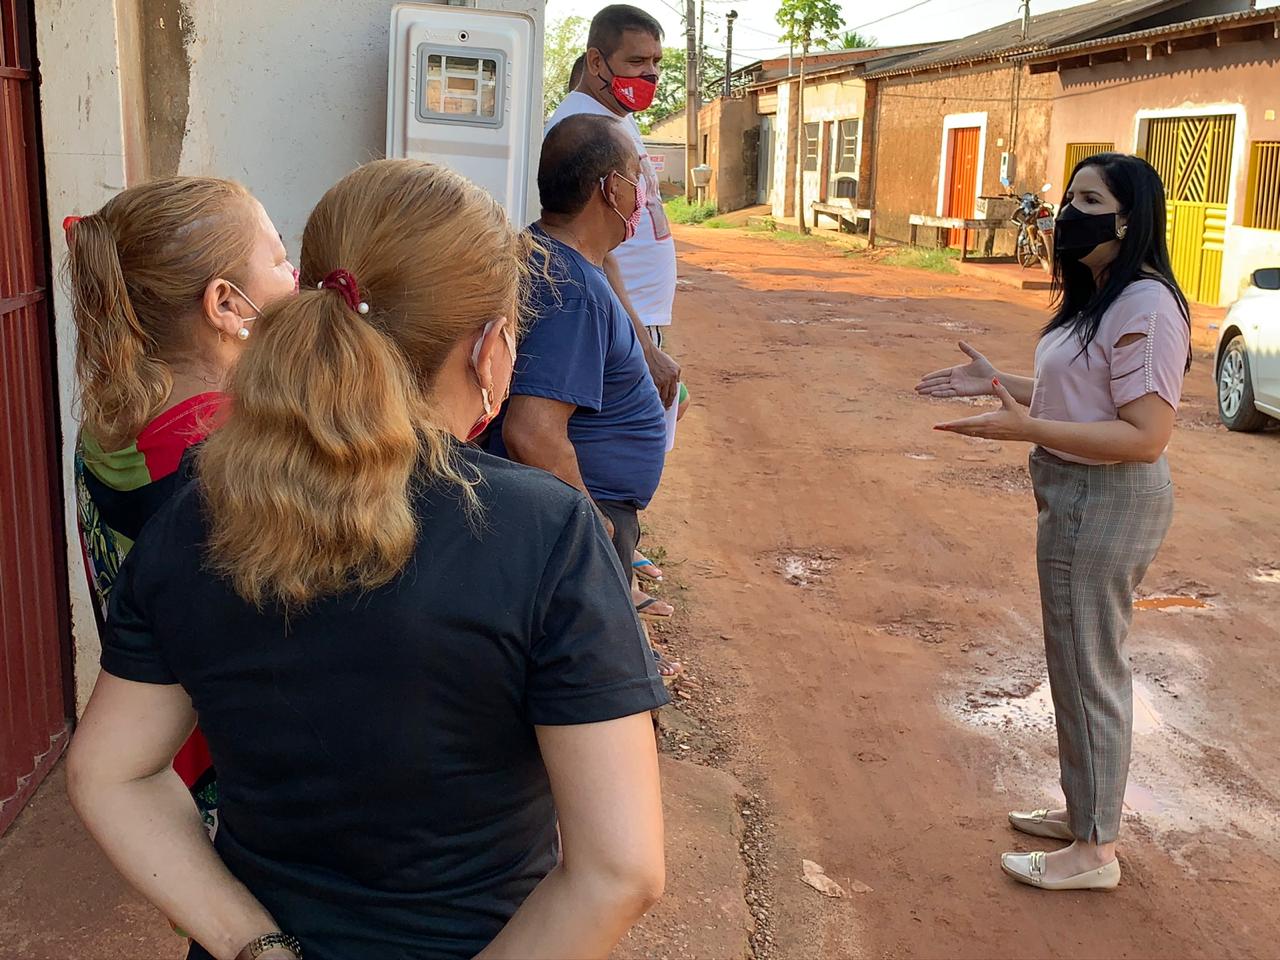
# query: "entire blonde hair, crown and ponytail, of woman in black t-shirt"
[309,483]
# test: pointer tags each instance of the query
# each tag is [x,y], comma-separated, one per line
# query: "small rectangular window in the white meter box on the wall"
[463,86]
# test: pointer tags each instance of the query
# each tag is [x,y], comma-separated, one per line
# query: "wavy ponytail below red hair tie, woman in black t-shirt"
[328,405]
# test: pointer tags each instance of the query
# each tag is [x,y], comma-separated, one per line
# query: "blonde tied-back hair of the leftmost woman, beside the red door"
[138,272]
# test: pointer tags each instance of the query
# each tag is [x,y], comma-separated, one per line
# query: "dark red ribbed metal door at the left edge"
[34,632]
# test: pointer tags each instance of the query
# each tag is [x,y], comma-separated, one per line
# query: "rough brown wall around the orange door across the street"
[1016,109]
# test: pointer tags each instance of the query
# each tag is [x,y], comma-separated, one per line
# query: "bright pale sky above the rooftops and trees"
[892,22]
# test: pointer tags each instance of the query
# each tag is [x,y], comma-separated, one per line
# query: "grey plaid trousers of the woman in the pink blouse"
[1099,531]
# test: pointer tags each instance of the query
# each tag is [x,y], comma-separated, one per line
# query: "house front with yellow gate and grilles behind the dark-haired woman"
[1200,102]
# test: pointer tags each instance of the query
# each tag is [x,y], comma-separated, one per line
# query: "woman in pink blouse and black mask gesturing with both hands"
[1100,410]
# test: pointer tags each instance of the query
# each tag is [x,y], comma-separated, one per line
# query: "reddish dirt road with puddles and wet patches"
[862,600]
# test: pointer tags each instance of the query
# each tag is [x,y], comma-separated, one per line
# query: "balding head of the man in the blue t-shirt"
[578,154]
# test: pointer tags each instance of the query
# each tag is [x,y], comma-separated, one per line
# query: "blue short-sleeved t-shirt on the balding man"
[582,349]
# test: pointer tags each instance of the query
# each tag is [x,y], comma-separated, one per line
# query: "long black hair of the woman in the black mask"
[1078,303]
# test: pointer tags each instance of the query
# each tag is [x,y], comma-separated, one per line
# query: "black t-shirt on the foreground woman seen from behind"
[382,792]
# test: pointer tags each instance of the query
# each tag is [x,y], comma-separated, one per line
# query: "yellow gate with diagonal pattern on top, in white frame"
[1194,158]
